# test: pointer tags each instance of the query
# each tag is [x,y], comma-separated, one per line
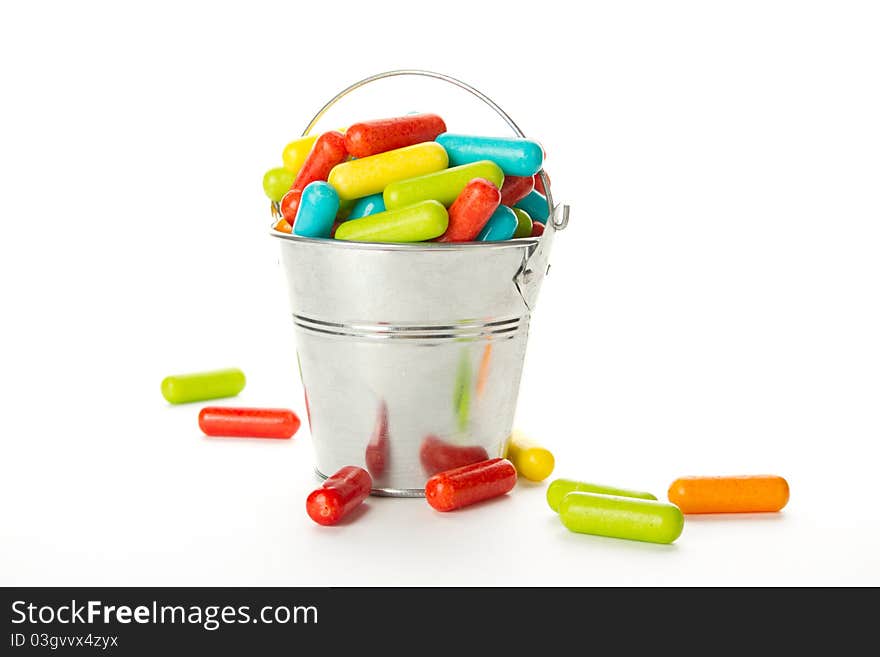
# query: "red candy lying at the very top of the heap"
[371,137]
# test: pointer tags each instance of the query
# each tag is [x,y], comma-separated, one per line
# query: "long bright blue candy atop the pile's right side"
[516,156]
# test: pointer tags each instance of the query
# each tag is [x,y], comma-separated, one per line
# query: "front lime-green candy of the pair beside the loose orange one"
[621,517]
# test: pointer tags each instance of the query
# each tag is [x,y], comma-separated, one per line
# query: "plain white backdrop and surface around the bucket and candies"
[712,308]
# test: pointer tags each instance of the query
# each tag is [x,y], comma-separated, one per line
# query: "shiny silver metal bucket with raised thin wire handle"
[411,354]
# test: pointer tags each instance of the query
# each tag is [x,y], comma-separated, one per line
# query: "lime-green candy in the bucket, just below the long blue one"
[443,186]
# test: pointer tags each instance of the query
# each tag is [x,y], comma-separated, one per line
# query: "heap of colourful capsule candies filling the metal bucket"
[407,179]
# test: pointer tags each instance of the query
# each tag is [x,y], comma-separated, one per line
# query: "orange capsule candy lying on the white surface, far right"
[742,494]
